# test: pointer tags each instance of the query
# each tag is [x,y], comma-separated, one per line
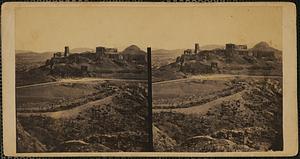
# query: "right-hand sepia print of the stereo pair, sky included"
[217,83]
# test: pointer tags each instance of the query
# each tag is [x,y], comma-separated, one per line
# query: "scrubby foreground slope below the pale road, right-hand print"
[220,115]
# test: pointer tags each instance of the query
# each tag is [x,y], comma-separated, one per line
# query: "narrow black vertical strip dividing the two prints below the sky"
[150,148]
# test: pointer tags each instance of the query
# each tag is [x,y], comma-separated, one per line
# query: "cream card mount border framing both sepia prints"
[289,78]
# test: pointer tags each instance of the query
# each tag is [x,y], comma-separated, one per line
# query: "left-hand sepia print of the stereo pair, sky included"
[78,89]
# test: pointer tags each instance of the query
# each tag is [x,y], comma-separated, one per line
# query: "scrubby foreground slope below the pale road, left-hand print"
[85,117]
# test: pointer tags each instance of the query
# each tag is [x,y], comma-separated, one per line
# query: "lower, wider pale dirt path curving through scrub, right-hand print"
[202,109]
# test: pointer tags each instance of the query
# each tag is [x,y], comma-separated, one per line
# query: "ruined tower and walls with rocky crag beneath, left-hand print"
[103,60]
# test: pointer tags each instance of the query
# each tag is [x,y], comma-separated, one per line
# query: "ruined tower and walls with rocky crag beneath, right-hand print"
[214,61]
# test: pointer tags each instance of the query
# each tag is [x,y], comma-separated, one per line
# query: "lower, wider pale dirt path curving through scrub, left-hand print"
[73,112]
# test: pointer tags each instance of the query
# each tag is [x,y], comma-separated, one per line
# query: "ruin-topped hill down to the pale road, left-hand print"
[102,63]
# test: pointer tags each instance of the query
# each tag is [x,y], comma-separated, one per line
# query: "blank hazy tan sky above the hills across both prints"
[50,29]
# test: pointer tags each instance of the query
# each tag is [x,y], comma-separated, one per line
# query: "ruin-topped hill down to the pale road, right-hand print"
[262,59]
